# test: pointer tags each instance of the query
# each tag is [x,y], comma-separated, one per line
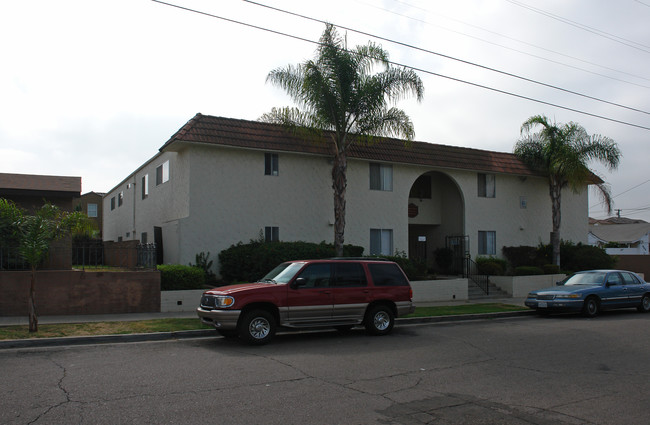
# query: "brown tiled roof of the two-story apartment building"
[274,137]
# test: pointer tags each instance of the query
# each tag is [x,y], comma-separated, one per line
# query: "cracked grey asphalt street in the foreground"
[521,370]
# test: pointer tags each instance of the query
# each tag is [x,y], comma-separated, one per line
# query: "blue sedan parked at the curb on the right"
[591,291]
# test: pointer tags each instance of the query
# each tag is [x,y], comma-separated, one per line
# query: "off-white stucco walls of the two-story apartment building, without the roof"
[218,196]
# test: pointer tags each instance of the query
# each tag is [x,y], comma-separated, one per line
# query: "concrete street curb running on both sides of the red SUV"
[206,333]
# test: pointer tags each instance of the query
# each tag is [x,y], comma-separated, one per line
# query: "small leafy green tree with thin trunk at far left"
[34,235]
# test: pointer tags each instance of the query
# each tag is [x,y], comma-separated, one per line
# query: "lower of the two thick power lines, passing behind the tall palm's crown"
[412,67]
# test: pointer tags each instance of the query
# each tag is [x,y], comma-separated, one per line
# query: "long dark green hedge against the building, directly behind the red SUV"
[250,262]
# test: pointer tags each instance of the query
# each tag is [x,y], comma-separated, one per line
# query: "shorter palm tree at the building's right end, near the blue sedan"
[561,152]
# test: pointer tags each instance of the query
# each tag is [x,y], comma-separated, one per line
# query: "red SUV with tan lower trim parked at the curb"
[338,293]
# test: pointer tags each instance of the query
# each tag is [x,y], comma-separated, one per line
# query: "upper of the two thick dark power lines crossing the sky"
[450,57]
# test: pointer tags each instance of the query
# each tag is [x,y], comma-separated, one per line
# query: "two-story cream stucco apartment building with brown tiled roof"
[219,181]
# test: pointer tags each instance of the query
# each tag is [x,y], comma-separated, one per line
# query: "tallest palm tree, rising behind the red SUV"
[338,92]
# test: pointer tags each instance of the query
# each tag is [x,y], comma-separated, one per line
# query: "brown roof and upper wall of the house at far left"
[31,191]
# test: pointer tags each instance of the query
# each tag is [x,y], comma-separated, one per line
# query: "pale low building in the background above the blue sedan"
[621,239]
